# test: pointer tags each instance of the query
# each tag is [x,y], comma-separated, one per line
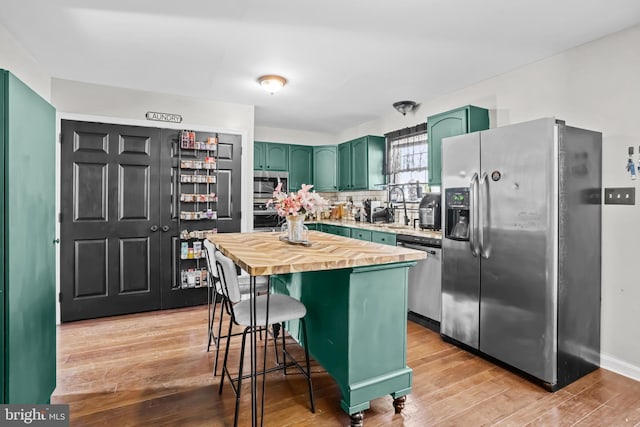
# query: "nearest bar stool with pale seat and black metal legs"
[281,308]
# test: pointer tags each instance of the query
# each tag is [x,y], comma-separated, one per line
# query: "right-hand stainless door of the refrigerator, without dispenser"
[517,307]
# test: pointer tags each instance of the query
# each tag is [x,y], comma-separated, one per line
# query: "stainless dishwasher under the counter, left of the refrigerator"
[425,279]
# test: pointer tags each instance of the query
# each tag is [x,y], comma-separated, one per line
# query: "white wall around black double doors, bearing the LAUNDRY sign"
[126,106]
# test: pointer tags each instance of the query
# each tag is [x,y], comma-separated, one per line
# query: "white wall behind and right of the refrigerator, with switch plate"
[595,86]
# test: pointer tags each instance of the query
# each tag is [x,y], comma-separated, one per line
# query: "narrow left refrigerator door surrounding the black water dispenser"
[460,268]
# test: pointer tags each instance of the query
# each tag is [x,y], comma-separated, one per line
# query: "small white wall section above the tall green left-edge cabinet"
[14,58]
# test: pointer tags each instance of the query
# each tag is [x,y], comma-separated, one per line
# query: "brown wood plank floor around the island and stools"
[152,369]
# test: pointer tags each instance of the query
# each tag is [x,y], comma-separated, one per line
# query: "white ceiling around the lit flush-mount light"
[346,61]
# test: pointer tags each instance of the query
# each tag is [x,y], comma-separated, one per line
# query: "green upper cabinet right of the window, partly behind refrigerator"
[451,123]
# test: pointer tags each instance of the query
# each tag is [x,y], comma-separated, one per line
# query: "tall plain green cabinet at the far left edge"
[27,247]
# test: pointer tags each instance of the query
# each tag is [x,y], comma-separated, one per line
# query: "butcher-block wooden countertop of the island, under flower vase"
[263,253]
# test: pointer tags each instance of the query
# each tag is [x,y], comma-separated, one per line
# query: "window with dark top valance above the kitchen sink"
[407,160]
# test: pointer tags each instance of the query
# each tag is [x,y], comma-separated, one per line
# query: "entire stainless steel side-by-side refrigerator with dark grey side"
[521,247]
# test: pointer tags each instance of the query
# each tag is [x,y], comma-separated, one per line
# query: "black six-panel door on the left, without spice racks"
[110,220]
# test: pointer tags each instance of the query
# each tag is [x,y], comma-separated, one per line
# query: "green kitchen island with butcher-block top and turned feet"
[355,293]
